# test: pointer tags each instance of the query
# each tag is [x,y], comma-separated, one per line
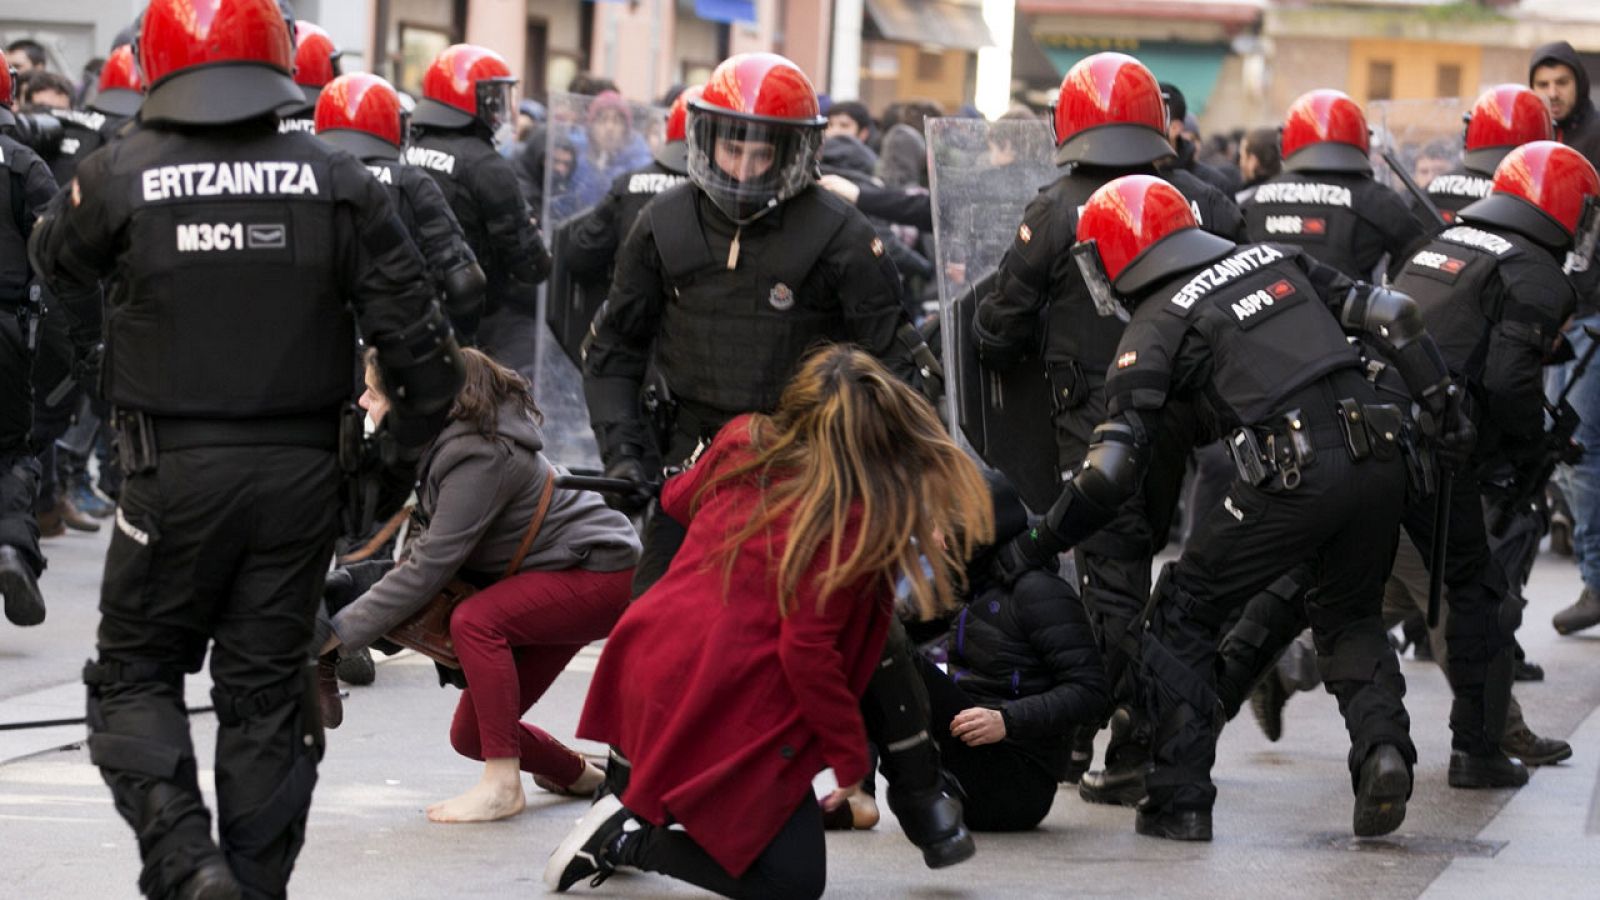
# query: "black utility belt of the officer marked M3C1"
[142,438]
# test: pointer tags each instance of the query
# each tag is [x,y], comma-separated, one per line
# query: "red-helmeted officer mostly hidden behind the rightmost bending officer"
[1503,119]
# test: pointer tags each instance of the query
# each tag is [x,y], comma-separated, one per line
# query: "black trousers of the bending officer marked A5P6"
[1343,520]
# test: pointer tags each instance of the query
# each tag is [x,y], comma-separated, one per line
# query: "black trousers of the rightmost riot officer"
[1481,629]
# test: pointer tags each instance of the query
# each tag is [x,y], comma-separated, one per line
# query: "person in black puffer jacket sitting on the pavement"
[1023,673]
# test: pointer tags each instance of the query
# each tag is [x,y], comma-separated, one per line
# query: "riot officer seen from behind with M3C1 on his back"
[228,360]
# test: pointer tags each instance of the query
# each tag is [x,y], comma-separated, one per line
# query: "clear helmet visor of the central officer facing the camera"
[751,167]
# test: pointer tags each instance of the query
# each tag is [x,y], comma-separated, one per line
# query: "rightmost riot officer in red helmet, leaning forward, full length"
[1494,292]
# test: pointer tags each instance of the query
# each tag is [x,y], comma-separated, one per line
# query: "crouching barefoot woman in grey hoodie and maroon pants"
[479,488]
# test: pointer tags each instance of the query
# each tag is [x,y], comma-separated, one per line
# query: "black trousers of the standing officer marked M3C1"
[222,548]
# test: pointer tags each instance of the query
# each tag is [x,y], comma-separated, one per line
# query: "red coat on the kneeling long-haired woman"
[726,709]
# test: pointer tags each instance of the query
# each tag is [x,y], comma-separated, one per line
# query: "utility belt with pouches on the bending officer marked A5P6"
[1284,448]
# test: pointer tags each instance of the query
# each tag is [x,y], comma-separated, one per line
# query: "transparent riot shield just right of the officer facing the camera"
[983,177]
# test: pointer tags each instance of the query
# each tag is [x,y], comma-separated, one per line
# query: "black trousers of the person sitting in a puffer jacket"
[1007,790]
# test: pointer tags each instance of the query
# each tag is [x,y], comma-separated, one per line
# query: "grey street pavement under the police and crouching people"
[1282,818]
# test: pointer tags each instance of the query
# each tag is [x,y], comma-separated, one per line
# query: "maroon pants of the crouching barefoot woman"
[513,640]
